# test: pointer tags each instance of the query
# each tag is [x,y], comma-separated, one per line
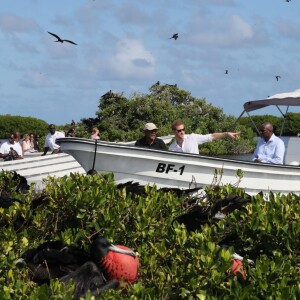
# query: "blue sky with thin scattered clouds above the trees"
[124,46]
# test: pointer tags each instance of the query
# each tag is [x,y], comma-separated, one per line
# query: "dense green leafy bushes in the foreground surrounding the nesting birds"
[175,264]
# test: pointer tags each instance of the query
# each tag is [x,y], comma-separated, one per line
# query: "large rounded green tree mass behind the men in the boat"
[122,119]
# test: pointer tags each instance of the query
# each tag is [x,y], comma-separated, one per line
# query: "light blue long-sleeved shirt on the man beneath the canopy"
[271,151]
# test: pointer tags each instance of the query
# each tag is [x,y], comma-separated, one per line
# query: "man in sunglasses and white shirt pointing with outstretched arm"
[189,143]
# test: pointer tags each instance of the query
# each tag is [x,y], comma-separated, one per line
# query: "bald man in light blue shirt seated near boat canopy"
[269,148]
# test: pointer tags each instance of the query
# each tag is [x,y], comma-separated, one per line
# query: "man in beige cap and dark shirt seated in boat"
[150,140]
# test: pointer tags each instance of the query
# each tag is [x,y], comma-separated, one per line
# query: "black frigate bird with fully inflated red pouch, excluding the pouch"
[55,259]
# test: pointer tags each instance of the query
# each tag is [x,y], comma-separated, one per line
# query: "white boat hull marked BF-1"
[171,169]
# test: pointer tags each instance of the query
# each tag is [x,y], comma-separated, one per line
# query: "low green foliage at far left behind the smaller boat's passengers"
[9,124]
